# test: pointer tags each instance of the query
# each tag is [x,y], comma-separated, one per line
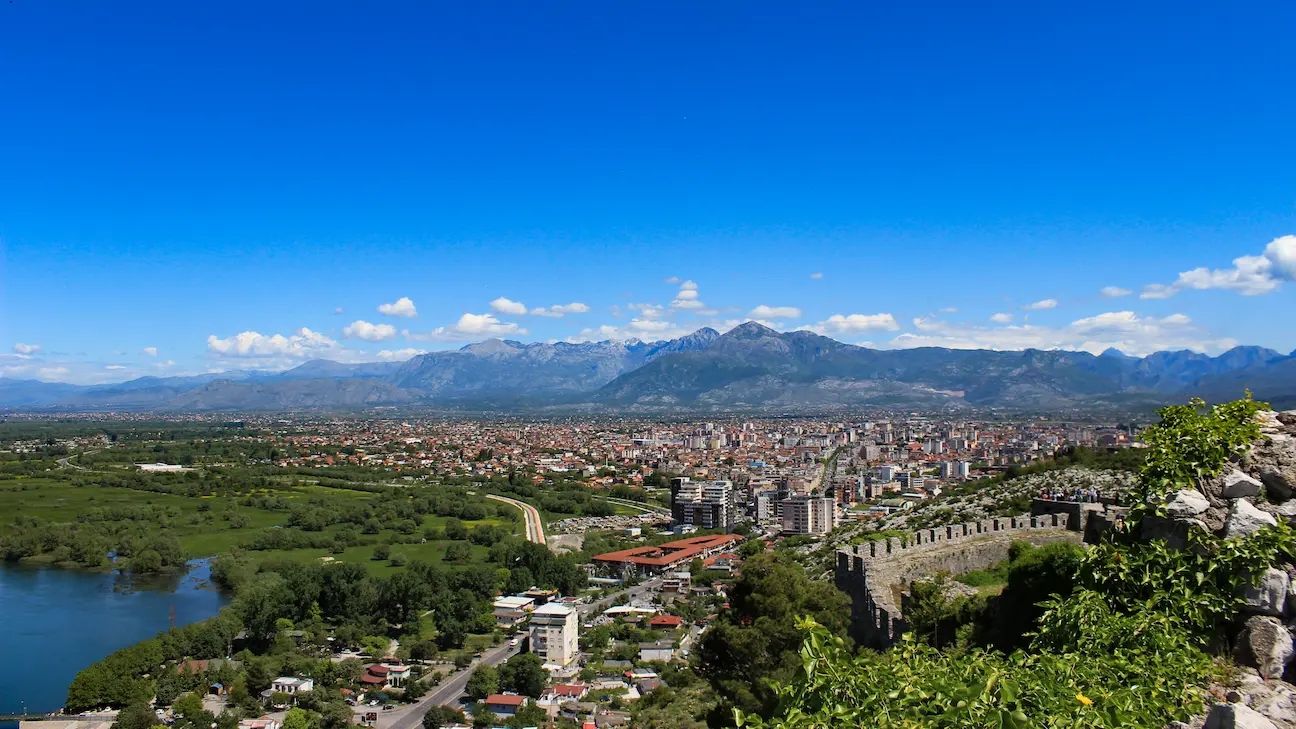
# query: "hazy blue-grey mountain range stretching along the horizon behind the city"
[750,368]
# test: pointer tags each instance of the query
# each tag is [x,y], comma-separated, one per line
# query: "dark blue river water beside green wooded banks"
[56,622]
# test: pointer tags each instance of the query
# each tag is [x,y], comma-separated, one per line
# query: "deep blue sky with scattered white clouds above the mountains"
[209,186]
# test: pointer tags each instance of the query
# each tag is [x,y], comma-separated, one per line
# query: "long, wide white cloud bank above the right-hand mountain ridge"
[1122,330]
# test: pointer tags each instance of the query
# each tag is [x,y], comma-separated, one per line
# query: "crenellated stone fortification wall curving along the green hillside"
[873,574]
